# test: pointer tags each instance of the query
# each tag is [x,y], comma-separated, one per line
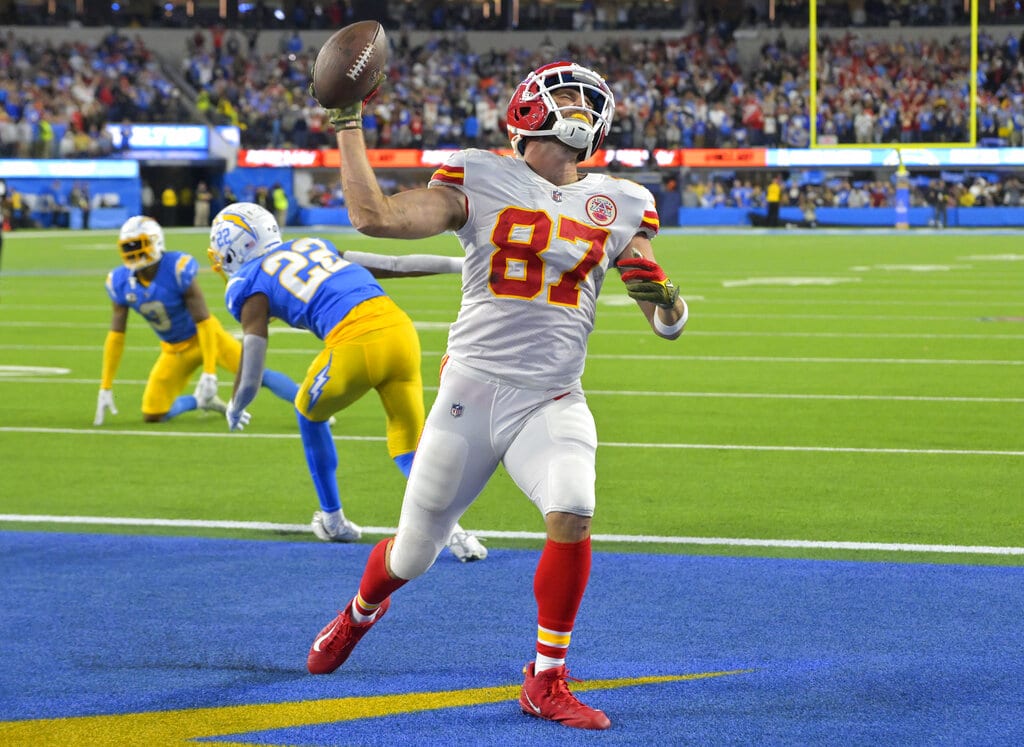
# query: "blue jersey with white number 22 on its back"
[309,284]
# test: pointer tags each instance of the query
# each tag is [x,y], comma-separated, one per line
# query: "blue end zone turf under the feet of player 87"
[840,652]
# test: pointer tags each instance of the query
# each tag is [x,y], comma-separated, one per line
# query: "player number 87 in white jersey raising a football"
[540,237]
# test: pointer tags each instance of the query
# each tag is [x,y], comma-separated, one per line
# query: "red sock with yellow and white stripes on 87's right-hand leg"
[559,586]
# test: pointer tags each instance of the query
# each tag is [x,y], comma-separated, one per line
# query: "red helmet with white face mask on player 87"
[533,111]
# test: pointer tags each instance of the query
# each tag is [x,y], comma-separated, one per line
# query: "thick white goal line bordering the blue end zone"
[495,534]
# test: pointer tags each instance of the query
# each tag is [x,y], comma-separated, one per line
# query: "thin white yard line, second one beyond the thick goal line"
[57,380]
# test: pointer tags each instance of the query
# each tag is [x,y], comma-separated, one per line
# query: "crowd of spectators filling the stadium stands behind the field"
[688,91]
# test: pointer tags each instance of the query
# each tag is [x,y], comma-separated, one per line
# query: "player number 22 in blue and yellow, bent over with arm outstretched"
[369,344]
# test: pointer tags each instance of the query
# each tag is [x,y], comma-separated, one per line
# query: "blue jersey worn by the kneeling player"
[162,303]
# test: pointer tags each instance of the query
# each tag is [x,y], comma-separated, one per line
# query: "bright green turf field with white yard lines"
[864,388]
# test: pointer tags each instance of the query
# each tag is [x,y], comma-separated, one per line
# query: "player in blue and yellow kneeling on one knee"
[160,286]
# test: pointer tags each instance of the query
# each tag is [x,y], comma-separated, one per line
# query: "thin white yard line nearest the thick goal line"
[607,444]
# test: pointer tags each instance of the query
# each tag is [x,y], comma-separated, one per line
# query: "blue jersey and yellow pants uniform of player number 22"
[369,342]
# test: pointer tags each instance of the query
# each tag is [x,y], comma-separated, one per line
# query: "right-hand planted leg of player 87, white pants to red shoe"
[552,461]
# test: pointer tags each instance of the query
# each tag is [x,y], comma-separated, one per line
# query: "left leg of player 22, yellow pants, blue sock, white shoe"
[336,379]
